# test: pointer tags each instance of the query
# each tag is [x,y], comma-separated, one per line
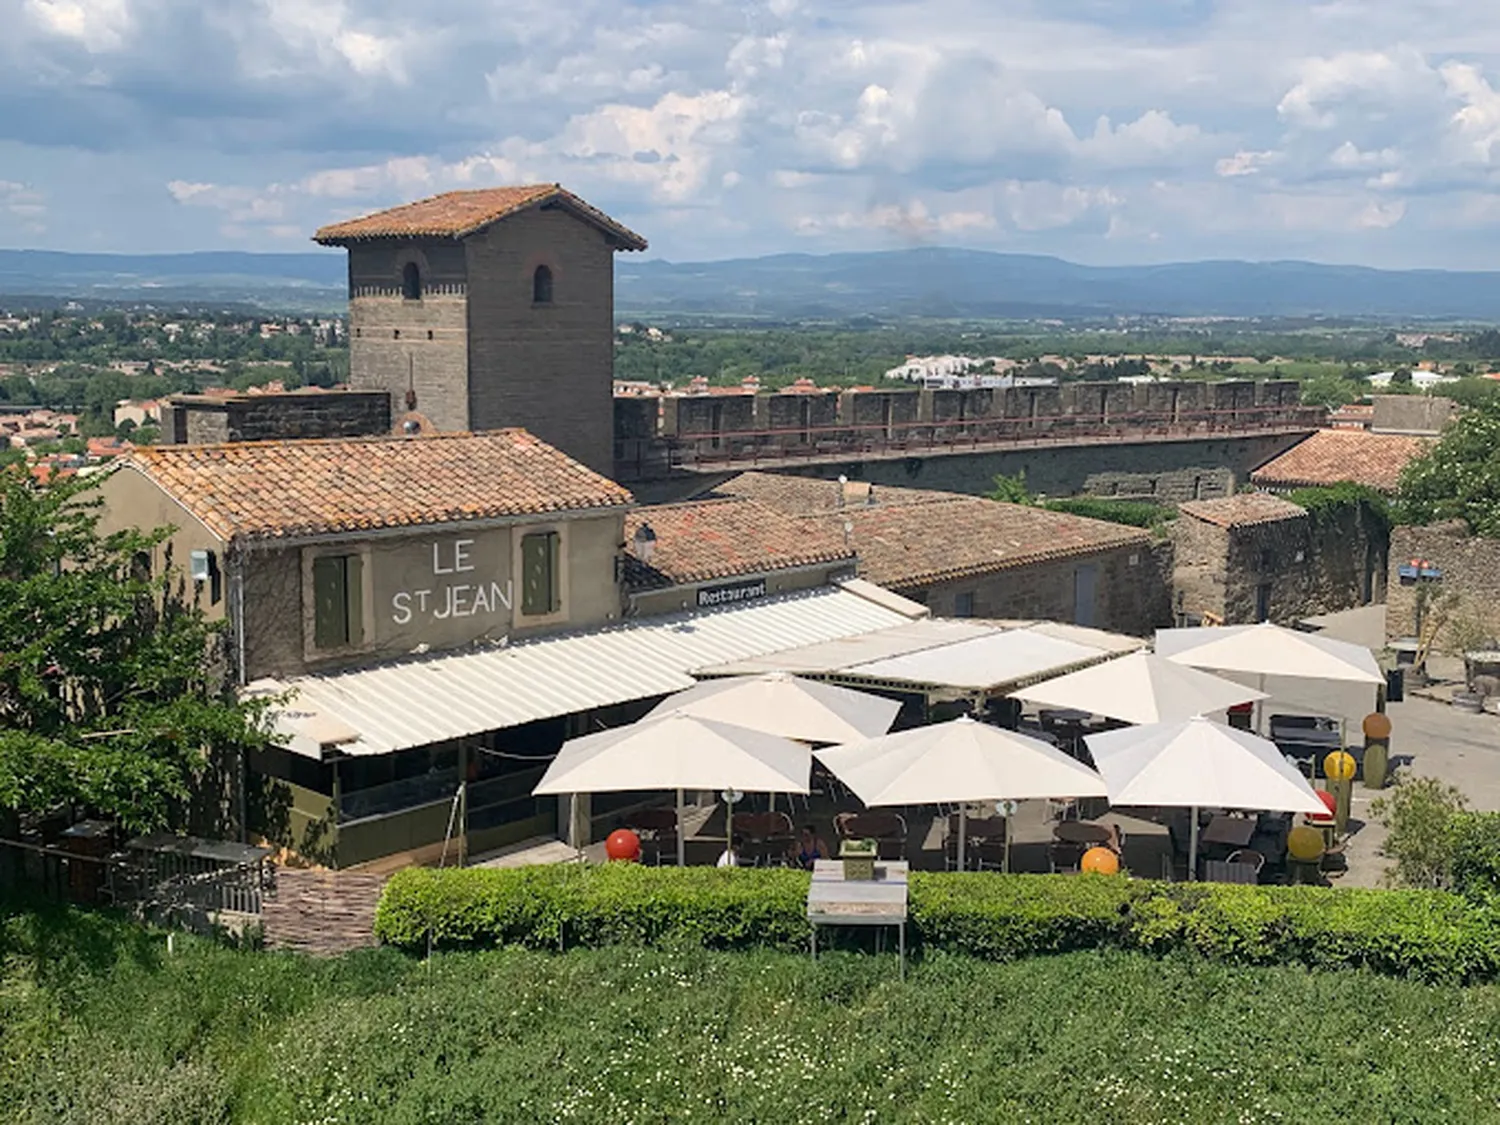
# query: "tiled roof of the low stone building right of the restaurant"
[940,541]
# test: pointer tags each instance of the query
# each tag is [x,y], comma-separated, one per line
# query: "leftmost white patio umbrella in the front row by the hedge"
[679,752]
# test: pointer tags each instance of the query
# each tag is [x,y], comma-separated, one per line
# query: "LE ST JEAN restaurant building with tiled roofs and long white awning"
[442,610]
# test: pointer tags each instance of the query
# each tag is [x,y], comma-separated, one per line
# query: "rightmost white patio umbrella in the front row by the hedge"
[1199,764]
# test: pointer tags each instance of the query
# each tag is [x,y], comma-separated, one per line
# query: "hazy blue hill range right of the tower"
[946,283]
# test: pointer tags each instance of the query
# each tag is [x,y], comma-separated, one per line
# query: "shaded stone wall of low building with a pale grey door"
[1133,590]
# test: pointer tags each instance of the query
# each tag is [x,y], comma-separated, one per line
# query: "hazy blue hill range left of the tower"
[313,281]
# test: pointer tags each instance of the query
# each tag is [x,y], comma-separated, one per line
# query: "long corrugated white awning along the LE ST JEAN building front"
[445,697]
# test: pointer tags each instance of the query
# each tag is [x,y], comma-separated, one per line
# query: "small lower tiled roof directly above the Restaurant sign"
[712,539]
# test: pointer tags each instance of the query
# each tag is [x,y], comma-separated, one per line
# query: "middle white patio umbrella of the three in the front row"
[955,763]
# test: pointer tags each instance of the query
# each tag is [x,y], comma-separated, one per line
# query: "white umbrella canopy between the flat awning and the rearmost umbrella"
[1141,689]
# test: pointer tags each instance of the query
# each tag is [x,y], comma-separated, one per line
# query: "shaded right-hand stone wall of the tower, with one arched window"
[548,368]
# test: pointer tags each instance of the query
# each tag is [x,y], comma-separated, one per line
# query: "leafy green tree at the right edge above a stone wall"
[1460,476]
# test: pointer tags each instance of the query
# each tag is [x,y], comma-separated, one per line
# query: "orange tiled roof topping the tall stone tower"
[457,215]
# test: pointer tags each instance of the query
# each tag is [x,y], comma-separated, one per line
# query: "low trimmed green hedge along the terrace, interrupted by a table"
[1429,935]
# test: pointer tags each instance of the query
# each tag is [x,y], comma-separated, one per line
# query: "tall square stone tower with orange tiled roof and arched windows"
[487,310]
